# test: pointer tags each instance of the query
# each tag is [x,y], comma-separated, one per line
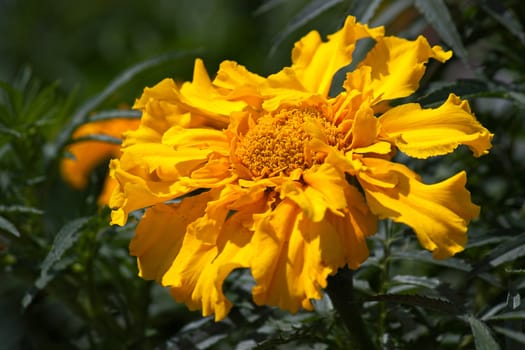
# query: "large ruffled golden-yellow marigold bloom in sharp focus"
[294,179]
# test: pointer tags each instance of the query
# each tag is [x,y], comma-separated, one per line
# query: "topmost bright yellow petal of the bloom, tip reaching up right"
[316,62]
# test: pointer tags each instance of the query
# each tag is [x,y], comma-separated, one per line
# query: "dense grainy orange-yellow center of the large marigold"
[279,142]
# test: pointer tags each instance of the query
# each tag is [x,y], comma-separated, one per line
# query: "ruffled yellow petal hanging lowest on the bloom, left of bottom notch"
[198,272]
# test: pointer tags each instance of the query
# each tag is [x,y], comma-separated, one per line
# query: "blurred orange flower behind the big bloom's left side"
[88,154]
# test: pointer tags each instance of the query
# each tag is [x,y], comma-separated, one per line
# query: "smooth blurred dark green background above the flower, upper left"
[84,44]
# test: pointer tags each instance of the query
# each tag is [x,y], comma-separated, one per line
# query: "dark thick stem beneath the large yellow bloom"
[340,290]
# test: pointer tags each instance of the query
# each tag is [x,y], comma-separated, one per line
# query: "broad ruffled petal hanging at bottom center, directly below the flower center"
[288,268]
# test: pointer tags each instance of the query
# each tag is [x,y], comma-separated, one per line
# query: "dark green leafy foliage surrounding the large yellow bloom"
[68,281]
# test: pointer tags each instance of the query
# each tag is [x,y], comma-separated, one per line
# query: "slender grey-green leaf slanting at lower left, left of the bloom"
[65,239]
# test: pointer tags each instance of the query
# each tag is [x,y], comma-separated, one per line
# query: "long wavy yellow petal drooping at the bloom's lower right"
[438,213]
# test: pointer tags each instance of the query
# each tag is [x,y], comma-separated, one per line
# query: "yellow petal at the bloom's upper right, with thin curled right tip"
[397,65]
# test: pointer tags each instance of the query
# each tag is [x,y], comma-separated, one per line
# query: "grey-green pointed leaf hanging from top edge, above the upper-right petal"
[437,14]
